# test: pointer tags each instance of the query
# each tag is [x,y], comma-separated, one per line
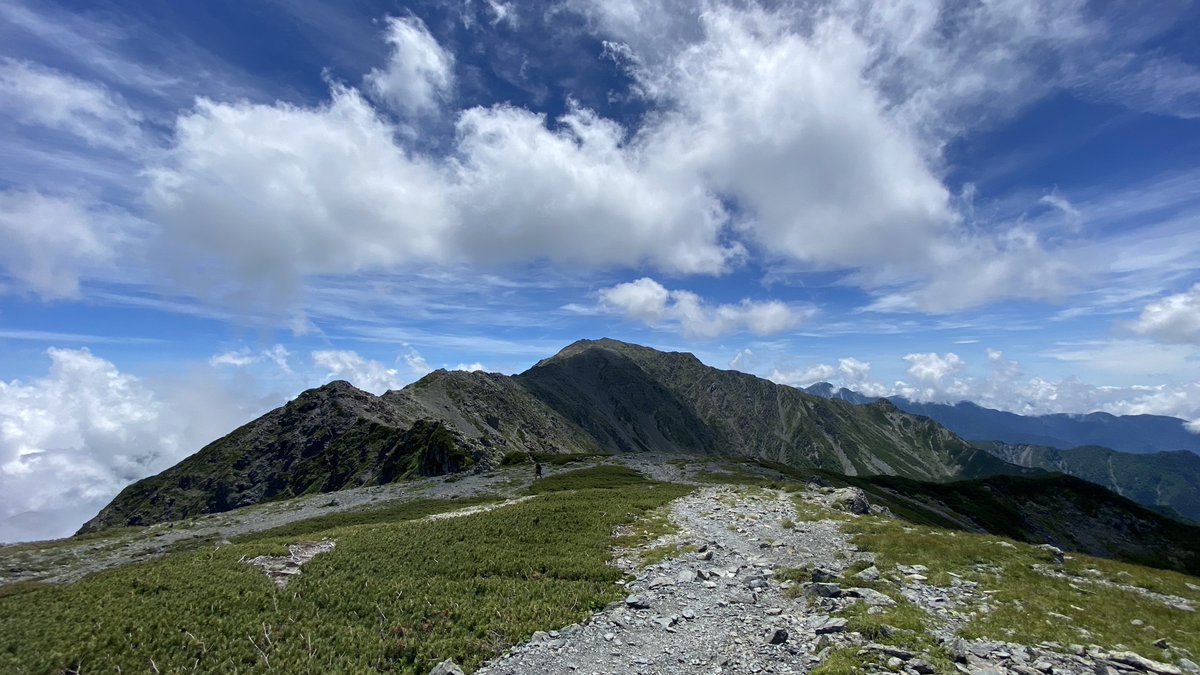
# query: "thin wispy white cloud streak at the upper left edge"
[43,97]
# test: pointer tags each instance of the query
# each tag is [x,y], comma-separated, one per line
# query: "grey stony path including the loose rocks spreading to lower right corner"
[731,602]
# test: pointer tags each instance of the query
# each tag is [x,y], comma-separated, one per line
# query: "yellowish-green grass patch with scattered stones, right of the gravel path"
[1028,607]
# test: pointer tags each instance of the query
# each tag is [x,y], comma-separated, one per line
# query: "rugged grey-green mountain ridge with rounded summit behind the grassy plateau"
[601,396]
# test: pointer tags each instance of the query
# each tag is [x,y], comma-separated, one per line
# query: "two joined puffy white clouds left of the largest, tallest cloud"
[274,194]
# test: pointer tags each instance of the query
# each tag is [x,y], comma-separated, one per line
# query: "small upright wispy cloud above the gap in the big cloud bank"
[419,75]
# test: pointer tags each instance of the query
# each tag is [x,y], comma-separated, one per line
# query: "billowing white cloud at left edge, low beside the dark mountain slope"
[70,441]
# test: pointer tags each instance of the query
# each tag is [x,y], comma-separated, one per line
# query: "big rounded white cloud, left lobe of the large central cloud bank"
[279,193]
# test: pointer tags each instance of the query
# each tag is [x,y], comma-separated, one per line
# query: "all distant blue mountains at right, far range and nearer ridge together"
[1165,480]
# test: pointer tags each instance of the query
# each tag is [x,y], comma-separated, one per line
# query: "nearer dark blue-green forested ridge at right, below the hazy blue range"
[1168,481]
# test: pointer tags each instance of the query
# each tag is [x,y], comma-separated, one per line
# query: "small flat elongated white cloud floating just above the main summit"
[650,302]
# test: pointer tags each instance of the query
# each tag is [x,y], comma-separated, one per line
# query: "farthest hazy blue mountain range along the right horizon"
[1126,434]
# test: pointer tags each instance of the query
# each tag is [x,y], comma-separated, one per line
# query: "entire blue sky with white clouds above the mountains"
[208,207]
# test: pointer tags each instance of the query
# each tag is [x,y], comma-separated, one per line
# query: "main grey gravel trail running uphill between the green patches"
[716,610]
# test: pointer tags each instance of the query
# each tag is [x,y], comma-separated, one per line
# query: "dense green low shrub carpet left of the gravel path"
[394,596]
